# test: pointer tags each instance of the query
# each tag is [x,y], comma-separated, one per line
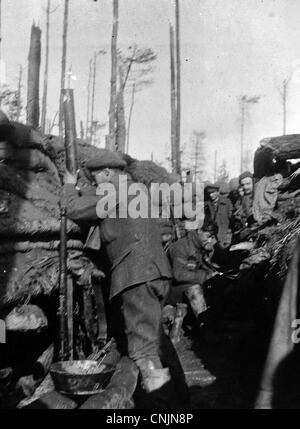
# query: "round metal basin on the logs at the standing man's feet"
[81,377]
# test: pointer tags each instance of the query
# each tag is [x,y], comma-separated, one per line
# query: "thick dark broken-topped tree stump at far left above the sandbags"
[34,61]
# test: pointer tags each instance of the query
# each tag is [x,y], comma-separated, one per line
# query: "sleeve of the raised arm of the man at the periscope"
[79,207]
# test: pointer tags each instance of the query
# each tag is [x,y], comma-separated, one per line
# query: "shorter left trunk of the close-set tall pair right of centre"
[173,101]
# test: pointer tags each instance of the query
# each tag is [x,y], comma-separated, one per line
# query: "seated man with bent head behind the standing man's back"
[190,258]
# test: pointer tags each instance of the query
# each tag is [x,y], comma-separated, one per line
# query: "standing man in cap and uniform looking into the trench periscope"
[139,269]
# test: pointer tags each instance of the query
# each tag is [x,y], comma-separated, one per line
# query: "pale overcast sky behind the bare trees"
[229,48]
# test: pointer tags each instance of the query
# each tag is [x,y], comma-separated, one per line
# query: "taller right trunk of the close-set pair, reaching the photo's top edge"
[178,89]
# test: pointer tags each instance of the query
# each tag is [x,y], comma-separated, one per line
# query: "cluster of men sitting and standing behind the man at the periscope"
[201,256]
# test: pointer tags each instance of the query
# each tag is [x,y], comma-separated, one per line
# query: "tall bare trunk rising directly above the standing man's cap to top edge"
[111,141]
